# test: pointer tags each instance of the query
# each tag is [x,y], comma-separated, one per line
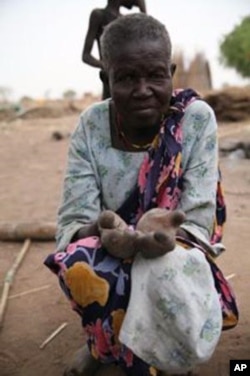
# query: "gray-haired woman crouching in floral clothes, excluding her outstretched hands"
[147,147]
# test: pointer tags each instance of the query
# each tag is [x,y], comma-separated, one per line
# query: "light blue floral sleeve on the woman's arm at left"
[80,205]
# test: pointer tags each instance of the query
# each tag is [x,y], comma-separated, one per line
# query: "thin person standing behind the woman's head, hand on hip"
[99,18]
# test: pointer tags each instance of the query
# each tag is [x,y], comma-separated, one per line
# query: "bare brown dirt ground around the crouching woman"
[31,169]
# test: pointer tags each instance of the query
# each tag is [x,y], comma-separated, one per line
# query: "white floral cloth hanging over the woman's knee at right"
[174,319]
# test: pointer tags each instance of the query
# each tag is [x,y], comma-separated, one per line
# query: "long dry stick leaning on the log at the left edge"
[10,277]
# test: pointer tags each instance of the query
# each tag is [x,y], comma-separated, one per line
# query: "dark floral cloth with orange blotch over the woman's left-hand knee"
[98,287]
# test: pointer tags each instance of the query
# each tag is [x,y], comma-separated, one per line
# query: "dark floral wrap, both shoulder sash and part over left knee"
[98,285]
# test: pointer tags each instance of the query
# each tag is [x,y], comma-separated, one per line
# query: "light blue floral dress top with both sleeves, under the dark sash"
[100,177]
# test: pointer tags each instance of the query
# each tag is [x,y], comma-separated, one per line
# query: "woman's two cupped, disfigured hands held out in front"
[153,236]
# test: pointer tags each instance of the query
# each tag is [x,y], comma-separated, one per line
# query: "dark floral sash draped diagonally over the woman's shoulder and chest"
[160,176]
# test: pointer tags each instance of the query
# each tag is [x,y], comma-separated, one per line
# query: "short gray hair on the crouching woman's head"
[130,28]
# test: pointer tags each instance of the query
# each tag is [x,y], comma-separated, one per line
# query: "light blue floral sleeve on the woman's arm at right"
[200,165]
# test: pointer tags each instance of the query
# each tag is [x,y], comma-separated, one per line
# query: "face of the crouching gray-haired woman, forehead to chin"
[140,81]
